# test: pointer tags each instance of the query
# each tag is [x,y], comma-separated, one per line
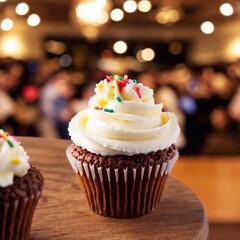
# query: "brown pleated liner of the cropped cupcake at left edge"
[16,217]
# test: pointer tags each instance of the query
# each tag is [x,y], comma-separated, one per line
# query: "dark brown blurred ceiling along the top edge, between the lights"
[193,11]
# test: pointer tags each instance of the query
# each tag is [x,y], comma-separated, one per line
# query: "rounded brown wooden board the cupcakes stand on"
[63,213]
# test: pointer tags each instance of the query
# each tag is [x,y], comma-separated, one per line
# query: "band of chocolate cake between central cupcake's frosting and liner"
[122,160]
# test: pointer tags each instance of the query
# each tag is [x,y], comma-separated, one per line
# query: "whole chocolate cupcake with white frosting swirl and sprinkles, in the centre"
[123,148]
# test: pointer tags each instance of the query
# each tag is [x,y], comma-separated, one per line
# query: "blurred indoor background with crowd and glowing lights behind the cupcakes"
[53,53]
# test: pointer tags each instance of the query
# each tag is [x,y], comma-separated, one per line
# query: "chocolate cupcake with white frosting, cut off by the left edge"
[20,188]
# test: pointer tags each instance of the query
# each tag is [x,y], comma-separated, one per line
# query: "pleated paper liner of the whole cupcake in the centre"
[121,193]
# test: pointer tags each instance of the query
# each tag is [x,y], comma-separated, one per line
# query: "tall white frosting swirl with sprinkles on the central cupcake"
[123,119]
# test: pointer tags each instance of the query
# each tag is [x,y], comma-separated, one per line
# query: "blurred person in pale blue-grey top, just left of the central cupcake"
[55,105]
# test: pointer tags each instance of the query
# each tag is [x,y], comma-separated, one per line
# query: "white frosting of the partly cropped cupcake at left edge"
[13,159]
